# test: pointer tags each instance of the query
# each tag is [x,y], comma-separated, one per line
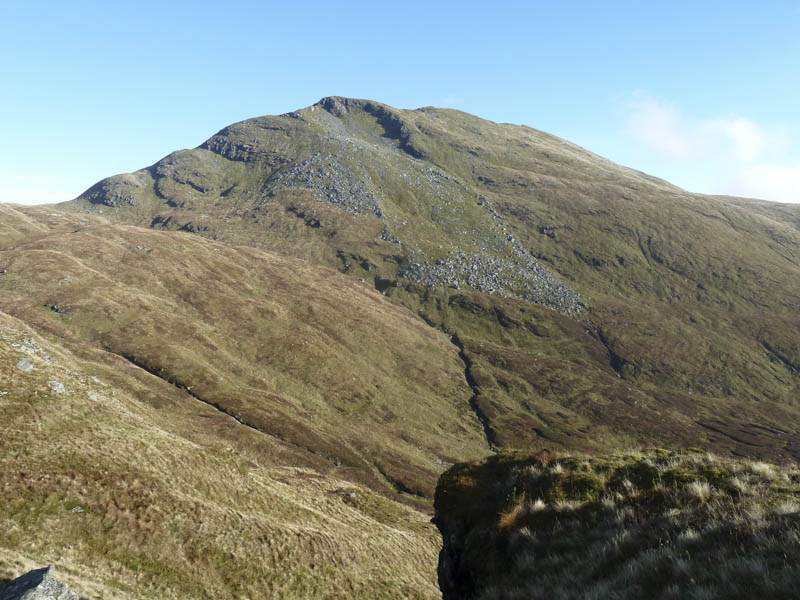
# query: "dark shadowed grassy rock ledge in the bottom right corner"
[656,524]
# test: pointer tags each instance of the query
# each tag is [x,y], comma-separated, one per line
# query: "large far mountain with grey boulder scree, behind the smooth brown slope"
[690,323]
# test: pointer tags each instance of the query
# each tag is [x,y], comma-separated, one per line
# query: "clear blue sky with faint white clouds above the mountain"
[703,94]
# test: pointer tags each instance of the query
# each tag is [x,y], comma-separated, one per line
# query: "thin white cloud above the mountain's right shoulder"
[739,156]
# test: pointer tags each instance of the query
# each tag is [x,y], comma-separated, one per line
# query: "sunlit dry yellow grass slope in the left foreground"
[132,501]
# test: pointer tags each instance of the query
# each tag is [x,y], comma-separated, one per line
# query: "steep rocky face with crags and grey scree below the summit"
[362,158]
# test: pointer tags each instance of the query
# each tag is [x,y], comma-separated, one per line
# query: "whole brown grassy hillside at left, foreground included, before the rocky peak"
[260,480]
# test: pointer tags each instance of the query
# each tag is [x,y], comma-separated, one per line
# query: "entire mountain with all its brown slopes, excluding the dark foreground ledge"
[242,371]
